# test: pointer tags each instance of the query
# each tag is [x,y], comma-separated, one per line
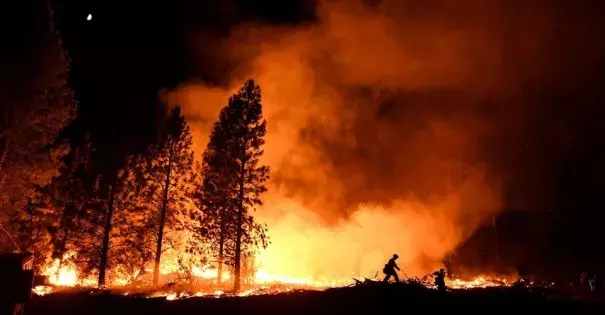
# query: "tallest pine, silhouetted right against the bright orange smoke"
[234,178]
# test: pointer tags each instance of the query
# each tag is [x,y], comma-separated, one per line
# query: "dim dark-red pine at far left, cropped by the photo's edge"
[35,106]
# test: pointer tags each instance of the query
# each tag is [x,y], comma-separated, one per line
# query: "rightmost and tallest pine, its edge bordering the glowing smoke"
[244,128]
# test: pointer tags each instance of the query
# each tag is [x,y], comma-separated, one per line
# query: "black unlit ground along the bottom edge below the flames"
[359,300]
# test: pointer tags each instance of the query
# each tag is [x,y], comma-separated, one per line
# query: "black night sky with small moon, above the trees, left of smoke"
[129,51]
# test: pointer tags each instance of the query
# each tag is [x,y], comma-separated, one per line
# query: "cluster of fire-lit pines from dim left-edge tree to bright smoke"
[116,214]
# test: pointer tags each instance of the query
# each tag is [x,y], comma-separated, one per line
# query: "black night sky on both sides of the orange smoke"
[129,52]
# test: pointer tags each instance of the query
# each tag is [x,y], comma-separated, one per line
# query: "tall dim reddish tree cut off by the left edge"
[36,104]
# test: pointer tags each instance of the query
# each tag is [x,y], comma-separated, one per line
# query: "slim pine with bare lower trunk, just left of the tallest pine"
[169,174]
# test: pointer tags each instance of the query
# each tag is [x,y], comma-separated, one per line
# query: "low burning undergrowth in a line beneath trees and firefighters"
[202,287]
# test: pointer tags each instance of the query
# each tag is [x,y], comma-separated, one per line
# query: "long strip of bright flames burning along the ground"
[64,279]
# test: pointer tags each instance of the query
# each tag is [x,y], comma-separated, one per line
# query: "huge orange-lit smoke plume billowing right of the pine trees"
[380,121]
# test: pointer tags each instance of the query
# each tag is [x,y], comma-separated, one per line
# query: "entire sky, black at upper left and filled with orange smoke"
[392,125]
